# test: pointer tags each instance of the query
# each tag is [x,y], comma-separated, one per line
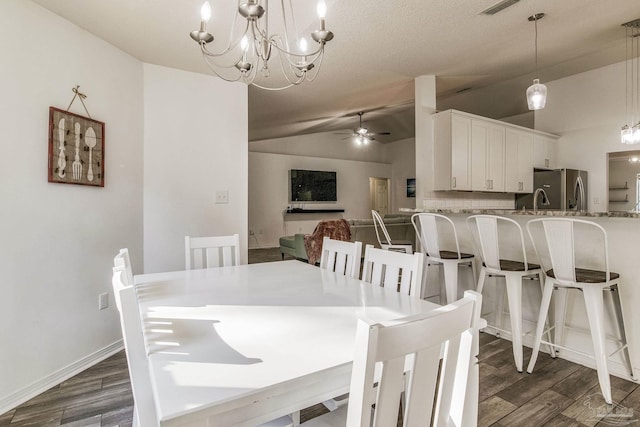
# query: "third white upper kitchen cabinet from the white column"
[519,161]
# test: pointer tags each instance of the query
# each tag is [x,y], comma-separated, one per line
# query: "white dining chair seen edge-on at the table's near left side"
[144,412]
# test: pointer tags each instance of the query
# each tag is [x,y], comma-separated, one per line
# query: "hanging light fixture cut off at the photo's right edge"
[630,133]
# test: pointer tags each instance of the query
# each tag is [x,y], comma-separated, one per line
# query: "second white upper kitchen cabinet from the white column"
[487,156]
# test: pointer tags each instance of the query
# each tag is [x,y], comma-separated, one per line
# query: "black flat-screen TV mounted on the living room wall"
[312,186]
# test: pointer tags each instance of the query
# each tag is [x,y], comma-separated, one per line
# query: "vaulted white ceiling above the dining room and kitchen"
[482,63]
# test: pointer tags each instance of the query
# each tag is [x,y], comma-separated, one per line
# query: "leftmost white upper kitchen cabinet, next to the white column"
[452,151]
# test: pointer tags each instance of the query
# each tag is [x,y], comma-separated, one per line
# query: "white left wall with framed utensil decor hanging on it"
[58,240]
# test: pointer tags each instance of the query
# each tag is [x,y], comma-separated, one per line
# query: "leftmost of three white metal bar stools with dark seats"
[430,230]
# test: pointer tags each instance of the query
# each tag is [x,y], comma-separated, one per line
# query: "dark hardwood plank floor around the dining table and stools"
[557,394]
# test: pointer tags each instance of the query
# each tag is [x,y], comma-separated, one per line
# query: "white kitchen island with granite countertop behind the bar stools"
[623,233]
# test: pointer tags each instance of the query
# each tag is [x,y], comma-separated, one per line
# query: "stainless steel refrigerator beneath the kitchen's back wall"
[564,189]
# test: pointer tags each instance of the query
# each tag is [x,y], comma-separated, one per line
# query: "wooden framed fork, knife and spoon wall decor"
[76,149]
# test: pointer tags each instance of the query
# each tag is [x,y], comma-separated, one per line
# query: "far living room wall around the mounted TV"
[268,194]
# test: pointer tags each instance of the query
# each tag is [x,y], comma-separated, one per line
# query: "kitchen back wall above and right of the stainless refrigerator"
[587,110]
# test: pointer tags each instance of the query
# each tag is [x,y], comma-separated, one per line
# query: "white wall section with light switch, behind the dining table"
[195,142]
